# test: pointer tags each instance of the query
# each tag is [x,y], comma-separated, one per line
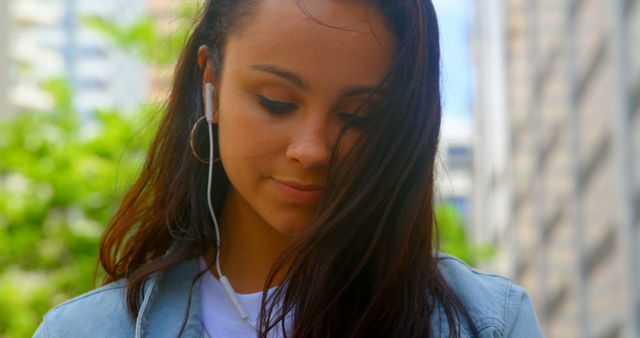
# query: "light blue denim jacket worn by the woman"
[497,307]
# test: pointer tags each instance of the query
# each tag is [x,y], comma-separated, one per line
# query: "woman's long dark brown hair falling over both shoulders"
[366,266]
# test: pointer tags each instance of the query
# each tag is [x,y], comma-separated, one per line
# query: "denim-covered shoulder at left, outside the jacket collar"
[89,315]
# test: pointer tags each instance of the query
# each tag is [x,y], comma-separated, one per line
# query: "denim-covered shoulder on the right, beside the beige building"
[496,306]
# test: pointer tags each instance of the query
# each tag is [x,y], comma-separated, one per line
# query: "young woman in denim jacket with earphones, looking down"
[289,190]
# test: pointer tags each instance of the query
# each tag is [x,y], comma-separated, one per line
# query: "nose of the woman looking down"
[311,145]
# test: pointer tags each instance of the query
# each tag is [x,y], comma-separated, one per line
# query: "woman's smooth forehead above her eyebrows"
[344,40]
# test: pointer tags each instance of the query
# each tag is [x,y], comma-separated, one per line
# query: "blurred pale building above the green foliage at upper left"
[47,39]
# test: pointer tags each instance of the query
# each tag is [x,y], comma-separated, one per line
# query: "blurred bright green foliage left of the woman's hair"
[57,191]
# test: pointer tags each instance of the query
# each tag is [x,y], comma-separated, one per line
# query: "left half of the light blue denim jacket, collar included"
[103,312]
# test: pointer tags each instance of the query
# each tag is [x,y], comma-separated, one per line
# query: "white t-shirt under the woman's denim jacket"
[219,317]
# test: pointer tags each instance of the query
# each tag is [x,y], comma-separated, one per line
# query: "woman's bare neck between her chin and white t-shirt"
[249,246]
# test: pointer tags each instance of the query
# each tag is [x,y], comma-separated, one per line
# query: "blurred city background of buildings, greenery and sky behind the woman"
[539,166]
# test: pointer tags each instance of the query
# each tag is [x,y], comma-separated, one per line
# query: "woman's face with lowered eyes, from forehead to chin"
[288,86]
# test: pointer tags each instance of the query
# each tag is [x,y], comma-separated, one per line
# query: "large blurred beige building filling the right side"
[557,157]
